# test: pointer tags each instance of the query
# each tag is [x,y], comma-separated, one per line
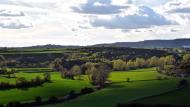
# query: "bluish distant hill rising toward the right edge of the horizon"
[177,43]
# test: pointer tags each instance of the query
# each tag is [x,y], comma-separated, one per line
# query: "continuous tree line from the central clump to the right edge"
[98,73]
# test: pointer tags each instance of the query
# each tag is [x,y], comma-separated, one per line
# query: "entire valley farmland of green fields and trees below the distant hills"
[132,77]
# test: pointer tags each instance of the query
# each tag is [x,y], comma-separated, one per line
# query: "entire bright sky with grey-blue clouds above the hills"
[87,22]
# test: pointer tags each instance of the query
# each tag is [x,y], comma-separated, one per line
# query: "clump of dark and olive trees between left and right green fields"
[97,72]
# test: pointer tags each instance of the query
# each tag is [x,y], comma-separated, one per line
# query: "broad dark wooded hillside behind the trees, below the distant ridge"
[87,54]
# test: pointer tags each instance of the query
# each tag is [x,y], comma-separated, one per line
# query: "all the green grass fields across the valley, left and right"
[143,83]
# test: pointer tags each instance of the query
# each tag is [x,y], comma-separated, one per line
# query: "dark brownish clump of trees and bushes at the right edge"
[176,68]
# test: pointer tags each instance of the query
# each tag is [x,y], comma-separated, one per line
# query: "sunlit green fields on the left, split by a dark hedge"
[59,87]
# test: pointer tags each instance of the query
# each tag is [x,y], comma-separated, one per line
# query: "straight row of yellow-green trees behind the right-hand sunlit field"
[143,63]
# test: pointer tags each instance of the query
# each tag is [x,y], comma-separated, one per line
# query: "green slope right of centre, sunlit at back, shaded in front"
[124,92]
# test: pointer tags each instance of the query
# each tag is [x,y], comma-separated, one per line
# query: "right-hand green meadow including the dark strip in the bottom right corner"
[143,83]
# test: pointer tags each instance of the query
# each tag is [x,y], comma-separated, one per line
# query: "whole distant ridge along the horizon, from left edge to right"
[176,43]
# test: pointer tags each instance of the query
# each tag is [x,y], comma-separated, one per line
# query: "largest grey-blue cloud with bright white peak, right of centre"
[133,18]
